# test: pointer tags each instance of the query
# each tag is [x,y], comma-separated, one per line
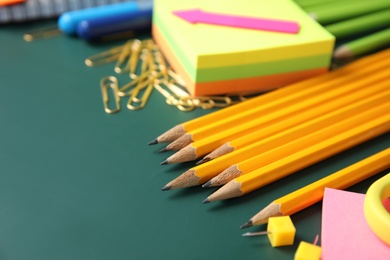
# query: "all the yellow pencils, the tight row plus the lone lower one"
[251,144]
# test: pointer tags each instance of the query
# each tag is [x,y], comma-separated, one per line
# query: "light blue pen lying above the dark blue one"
[69,21]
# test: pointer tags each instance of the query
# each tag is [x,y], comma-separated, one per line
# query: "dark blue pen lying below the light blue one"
[139,17]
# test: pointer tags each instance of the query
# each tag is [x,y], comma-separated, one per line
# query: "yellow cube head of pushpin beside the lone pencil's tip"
[281,231]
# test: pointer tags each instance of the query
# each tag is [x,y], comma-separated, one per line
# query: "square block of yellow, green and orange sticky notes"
[227,59]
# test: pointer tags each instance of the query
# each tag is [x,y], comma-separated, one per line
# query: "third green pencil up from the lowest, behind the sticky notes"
[340,12]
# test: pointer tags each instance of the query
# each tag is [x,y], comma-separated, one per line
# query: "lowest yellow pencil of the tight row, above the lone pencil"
[379,124]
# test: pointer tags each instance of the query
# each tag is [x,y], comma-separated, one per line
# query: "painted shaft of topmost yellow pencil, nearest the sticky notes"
[290,89]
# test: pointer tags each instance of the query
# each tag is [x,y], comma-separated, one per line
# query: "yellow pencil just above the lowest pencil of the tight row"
[304,140]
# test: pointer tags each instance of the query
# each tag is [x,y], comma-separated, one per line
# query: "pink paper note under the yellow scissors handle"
[345,232]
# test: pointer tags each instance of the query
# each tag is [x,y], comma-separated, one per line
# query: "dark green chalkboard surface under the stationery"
[77,183]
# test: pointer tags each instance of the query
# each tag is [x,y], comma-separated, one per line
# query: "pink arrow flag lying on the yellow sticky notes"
[274,25]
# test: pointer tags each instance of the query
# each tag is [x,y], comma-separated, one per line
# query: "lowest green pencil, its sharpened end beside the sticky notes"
[366,44]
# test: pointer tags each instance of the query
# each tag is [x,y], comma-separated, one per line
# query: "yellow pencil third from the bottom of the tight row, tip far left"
[364,100]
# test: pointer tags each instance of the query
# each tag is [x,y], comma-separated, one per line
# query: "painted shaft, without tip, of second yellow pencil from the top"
[283,103]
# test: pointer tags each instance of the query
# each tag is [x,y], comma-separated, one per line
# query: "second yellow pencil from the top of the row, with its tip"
[267,109]
